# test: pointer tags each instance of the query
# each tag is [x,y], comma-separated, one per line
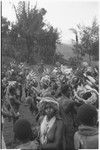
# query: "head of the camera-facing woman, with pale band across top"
[49,106]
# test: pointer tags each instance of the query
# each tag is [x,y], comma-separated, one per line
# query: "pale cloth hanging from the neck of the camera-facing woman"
[45,128]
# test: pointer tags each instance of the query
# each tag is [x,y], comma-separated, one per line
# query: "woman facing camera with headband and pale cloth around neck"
[51,127]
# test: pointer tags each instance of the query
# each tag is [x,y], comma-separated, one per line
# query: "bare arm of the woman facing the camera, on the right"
[58,138]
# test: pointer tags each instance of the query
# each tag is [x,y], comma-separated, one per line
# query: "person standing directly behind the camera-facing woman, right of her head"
[68,114]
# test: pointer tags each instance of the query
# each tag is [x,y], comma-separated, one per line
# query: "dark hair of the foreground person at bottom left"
[22,130]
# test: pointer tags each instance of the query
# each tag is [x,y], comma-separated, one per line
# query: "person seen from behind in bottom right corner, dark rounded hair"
[87,135]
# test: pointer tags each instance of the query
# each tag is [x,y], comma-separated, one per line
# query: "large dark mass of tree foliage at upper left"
[30,38]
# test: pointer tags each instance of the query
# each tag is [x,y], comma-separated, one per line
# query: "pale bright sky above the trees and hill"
[61,14]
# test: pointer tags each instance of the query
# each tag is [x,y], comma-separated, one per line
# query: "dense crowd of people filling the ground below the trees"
[64,102]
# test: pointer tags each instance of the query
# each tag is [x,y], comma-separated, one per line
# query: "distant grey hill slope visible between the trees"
[66,50]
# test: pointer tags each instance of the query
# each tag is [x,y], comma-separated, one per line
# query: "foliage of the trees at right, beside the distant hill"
[87,40]
